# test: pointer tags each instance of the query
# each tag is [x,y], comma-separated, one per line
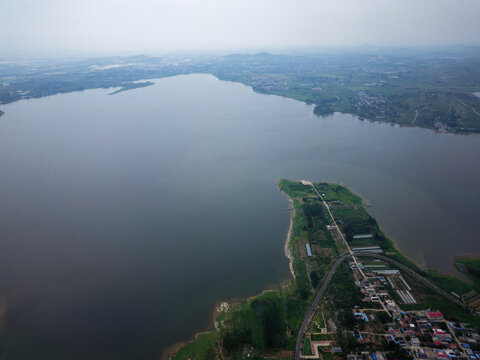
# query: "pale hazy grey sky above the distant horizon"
[156,26]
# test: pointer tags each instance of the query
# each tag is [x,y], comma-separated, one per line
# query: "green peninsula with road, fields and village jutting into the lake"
[352,293]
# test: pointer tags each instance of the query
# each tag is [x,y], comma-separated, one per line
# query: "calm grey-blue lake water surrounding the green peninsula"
[124,218]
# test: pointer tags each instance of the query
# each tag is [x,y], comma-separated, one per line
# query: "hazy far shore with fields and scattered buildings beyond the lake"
[435,89]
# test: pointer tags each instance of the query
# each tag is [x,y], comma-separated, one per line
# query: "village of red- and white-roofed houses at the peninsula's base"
[382,325]
